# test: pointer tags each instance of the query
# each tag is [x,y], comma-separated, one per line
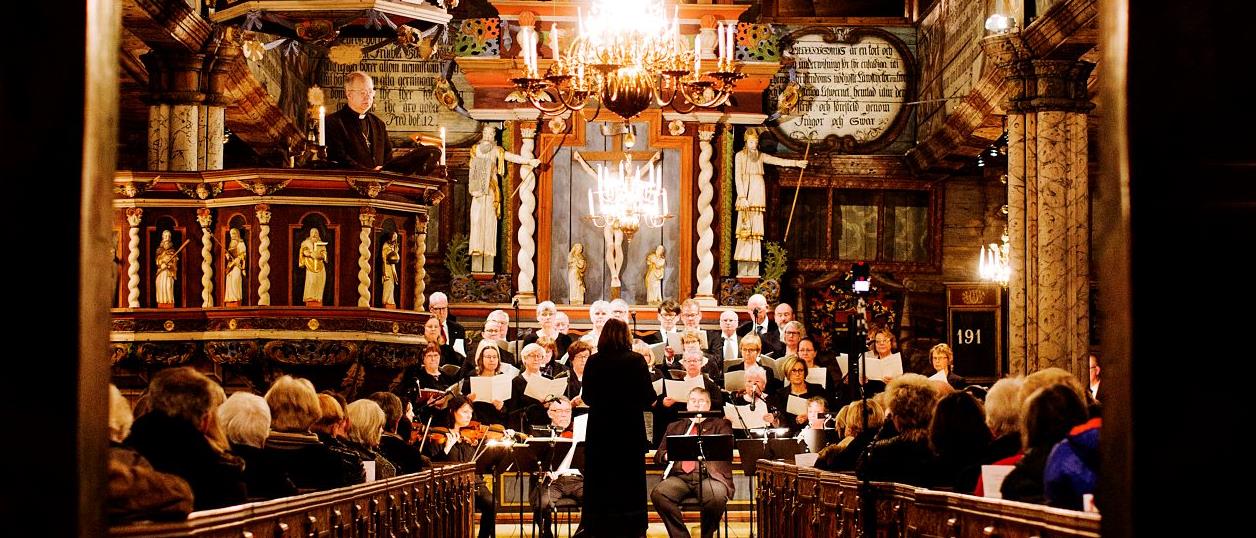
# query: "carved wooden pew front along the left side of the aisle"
[435,503]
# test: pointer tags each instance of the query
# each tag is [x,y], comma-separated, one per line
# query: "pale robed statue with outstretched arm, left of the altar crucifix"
[488,164]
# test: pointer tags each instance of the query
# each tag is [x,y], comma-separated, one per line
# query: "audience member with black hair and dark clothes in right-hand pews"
[959,437]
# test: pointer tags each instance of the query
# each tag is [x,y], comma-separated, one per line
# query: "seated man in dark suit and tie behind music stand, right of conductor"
[684,478]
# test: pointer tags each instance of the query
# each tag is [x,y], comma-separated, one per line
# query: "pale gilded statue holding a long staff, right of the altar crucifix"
[752,198]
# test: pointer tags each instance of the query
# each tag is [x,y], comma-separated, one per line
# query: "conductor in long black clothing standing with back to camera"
[619,392]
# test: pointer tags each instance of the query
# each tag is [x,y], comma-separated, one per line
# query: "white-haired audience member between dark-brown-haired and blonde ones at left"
[246,419]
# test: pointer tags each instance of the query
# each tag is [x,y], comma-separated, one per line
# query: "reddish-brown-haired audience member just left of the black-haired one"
[905,458]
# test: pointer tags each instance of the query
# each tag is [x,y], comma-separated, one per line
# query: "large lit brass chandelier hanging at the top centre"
[629,56]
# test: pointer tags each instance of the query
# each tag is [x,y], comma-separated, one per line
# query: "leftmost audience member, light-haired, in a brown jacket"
[135,490]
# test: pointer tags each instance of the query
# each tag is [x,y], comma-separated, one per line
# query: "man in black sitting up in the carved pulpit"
[356,139]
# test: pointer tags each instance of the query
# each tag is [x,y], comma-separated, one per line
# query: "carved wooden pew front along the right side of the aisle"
[802,502]
